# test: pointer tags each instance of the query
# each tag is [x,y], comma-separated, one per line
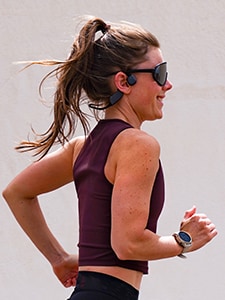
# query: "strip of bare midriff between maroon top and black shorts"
[131,277]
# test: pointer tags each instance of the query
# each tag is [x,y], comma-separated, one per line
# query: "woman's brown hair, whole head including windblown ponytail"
[84,76]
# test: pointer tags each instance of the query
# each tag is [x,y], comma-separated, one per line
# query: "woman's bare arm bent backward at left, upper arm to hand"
[48,174]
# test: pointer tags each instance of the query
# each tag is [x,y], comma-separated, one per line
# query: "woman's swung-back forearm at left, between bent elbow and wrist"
[29,215]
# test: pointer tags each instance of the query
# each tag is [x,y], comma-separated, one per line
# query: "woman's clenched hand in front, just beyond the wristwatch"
[199,226]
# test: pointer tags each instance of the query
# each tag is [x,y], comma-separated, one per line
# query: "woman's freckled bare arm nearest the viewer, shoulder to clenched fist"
[135,160]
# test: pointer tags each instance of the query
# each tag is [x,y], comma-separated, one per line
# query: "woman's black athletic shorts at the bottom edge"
[98,286]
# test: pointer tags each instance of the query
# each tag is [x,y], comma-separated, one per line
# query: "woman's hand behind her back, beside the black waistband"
[67,270]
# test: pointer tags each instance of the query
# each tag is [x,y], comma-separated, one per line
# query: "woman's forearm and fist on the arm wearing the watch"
[146,245]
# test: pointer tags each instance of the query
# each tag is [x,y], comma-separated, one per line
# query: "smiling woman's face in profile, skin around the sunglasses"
[147,95]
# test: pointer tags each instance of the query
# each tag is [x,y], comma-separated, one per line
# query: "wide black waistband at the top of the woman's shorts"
[88,280]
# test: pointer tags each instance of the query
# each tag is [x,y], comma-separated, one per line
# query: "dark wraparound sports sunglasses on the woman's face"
[159,73]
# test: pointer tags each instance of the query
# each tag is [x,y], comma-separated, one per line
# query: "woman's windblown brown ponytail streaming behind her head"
[71,75]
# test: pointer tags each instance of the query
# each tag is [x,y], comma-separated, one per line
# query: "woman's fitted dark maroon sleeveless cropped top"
[94,199]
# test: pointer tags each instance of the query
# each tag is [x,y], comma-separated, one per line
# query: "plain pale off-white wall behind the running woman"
[191,135]
